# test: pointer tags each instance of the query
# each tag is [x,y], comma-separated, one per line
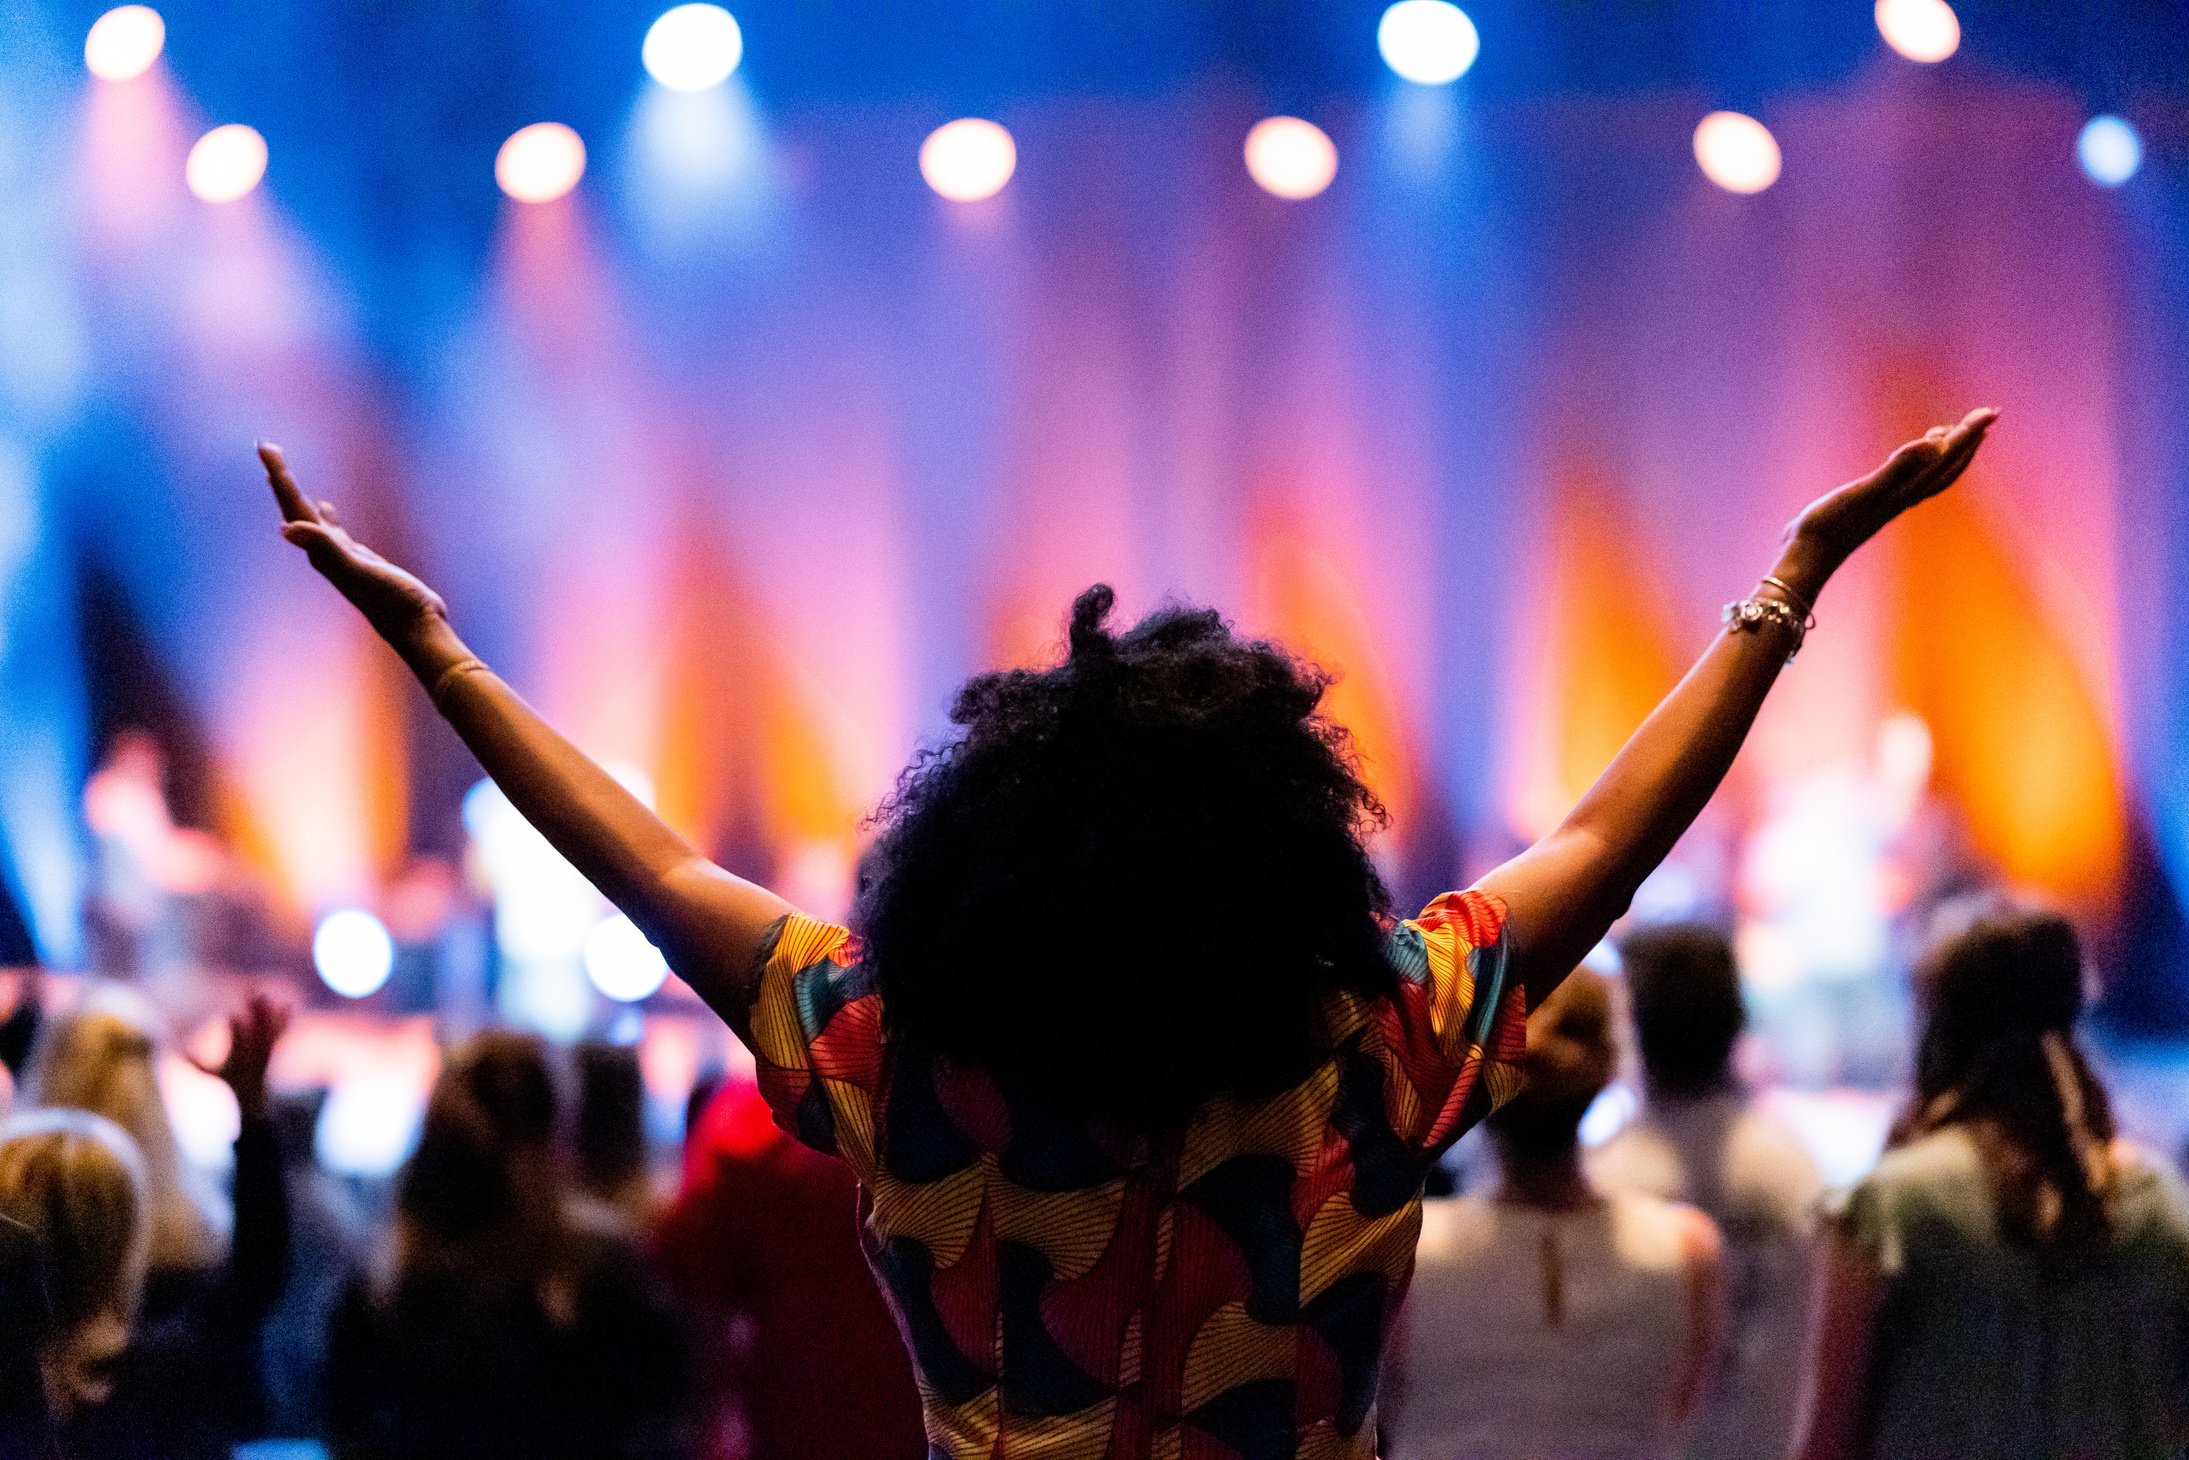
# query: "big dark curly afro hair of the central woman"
[1131,881]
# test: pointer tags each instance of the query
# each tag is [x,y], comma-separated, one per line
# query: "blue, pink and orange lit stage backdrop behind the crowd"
[748,452]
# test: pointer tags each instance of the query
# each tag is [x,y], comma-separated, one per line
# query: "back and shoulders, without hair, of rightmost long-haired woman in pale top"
[1989,1347]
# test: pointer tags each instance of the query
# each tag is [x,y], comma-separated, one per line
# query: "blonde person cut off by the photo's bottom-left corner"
[73,1247]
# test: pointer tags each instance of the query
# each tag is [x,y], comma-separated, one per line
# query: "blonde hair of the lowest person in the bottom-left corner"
[78,1183]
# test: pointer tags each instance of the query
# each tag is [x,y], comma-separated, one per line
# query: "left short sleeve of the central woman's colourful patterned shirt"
[818,1039]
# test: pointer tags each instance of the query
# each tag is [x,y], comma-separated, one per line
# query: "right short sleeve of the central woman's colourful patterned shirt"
[1457,1030]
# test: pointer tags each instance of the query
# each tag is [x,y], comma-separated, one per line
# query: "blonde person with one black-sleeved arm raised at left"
[192,1378]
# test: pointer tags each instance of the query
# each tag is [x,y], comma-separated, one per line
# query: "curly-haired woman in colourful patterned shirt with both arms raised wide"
[1135,1069]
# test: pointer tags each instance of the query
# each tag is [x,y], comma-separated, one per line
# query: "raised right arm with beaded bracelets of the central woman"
[1568,890]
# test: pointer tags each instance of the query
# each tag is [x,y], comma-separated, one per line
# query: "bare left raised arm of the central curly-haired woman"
[704,920]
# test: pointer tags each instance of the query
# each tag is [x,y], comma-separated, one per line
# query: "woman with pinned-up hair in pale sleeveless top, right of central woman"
[1608,1301]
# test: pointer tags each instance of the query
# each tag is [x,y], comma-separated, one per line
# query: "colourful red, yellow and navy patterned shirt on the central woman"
[1220,1293]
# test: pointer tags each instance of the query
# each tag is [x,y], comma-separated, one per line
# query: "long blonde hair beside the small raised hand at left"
[104,1061]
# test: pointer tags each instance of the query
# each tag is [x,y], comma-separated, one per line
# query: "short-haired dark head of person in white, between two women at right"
[1687,1006]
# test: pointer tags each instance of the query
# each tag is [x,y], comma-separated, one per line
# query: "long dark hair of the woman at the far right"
[2000,1058]
